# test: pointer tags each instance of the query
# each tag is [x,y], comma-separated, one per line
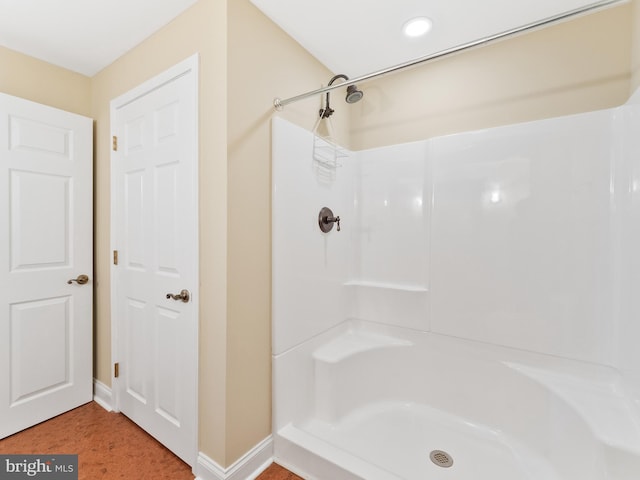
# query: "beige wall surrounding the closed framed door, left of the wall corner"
[201,29]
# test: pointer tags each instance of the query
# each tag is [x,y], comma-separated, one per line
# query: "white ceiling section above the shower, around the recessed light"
[357,37]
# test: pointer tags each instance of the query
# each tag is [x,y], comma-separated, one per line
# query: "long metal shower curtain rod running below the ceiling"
[279,103]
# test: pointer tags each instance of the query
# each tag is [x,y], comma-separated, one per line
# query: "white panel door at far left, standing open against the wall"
[46,239]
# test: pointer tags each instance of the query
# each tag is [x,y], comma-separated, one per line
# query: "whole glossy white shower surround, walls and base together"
[480,293]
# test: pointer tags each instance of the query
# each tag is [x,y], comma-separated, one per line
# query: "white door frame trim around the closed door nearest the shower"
[187,66]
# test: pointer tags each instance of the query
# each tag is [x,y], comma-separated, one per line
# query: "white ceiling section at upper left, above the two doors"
[82,35]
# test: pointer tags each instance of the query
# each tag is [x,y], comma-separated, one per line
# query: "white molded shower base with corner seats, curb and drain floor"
[371,402]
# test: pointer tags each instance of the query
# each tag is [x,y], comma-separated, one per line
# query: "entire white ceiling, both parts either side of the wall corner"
[354,37]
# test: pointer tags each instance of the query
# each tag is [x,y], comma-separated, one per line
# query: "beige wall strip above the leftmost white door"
[30,78]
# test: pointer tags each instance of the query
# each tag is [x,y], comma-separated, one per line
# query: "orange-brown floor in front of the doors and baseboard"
[109,447]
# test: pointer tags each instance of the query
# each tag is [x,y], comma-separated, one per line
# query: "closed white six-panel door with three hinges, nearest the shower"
[155,232]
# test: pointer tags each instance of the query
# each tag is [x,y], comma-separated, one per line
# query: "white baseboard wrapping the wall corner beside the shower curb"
[252,464]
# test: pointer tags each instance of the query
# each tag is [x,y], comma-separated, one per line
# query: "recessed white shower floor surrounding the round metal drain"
[395,441]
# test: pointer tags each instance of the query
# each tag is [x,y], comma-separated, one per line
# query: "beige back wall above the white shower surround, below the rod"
[575,66]
